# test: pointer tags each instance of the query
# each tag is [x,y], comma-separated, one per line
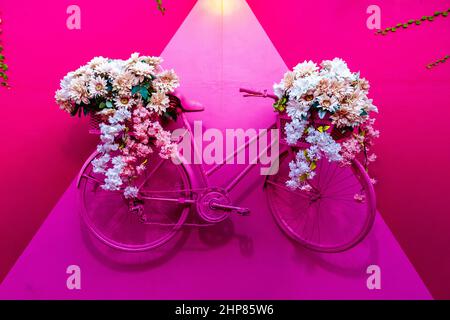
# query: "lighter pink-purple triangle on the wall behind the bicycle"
[214,56]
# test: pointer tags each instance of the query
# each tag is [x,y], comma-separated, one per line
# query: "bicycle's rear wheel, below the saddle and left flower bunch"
[111,218]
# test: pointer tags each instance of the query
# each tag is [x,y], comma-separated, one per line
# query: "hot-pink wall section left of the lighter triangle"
[44,148]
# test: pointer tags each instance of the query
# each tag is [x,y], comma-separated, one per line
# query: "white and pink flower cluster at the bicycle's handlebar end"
[329,116]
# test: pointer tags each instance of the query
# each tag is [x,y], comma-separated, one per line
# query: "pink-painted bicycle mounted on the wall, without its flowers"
[325,219]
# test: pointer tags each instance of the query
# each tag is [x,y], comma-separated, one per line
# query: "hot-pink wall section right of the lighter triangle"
[414,147]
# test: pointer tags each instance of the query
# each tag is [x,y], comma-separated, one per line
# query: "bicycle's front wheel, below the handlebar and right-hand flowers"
[333,218]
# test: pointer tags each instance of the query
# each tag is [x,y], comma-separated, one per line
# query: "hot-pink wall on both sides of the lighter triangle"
[40,50]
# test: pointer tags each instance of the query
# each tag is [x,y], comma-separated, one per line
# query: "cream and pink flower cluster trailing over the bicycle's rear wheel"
[131,97]
